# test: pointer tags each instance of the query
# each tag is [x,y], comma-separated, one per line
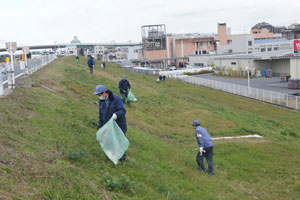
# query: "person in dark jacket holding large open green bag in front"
[110,105]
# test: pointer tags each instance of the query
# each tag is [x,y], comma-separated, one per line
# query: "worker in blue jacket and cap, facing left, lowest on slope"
[205,148]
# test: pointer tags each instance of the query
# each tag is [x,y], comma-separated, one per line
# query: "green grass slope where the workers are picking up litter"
[48,148]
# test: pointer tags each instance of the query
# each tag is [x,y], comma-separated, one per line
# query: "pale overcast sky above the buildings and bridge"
[32,22]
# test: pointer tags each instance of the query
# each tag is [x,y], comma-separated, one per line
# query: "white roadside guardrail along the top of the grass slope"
[32,66]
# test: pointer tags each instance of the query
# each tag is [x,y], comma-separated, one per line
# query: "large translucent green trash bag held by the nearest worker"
[112,140]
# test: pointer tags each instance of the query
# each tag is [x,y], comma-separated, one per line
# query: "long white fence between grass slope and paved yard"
[277,98]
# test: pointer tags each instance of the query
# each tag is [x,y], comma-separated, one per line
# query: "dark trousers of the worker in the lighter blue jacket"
[208,154]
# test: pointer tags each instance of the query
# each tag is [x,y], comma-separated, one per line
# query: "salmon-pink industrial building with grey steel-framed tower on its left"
[160,50]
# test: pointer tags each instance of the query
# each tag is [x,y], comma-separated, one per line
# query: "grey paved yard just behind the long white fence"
[272,84]
